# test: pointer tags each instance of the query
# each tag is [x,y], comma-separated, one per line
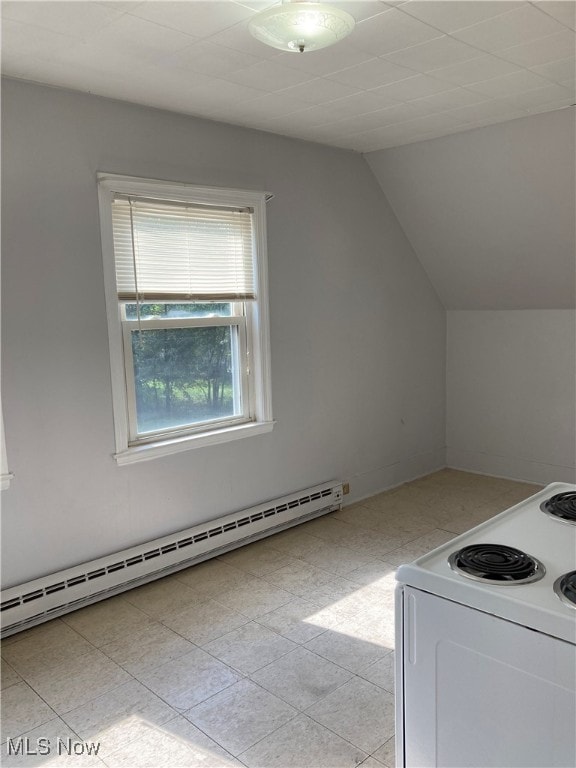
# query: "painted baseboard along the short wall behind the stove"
[510,467]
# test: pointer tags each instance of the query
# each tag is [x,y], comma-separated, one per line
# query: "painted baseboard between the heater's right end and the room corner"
[366,484]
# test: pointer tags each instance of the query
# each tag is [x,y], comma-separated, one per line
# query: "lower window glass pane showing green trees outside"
[184,376]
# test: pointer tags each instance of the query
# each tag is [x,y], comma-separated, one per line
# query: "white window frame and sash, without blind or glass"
[254,337]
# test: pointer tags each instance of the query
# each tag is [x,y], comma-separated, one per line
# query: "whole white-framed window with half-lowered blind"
[186,293]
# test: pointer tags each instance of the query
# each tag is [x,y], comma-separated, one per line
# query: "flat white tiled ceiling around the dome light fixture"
[410,70]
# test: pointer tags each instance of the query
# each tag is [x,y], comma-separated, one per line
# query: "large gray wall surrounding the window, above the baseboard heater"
[358,334]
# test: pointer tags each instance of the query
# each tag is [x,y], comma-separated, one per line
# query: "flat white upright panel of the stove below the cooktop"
[476,690]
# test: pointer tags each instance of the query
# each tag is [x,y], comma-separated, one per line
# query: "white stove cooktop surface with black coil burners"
[533,602]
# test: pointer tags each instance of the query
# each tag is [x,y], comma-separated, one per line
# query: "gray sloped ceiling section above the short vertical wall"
[491,212]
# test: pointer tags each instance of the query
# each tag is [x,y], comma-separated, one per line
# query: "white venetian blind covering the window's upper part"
[168,250]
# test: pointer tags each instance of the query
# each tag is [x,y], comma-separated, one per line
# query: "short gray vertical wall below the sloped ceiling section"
[511,382]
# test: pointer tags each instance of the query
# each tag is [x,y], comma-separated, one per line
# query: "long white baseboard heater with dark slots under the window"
[42,599]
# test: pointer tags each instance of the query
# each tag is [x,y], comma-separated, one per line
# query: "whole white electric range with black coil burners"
[486,643]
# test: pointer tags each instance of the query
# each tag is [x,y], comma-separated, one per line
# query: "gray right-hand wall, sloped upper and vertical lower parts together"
[490,214]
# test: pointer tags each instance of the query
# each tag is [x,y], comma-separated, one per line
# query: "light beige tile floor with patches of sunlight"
[277,654]
